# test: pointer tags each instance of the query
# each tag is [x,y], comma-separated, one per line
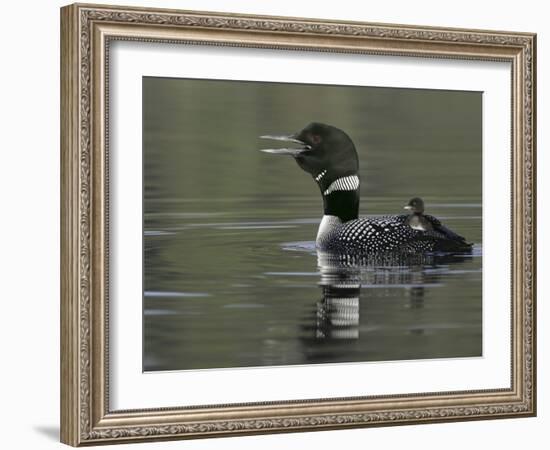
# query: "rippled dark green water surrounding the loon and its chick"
[231,275]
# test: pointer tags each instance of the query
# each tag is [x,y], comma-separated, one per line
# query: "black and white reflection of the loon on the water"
[349,281]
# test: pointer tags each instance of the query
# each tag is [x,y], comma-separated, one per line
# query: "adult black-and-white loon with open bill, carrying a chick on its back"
[329,156]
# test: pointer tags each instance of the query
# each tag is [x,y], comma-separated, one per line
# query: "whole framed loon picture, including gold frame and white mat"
[275,224]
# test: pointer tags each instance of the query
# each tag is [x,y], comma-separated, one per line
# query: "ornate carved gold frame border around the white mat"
[86,31]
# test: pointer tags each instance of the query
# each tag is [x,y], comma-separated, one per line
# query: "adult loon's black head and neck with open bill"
[329,156]
